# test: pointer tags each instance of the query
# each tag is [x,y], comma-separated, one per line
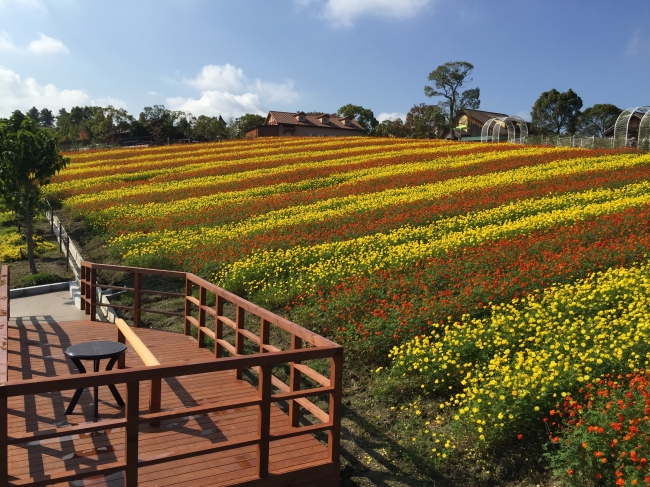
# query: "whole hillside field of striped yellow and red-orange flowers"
[491,288]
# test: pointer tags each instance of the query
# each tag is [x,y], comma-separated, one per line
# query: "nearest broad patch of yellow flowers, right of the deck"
[521,360]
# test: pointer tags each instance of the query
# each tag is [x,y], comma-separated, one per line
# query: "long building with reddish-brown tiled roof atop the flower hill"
[299,124]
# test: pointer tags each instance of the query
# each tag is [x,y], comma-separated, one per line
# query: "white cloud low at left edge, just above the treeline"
[22,94]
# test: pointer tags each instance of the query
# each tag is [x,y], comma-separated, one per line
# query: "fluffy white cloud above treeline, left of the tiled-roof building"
[226,90]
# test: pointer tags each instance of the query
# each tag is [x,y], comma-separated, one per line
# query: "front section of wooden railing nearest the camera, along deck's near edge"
[133,377]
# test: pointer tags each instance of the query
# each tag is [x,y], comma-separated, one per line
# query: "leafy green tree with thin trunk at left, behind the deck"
[29,157]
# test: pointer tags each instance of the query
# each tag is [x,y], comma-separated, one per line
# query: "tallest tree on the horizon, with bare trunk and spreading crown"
[448,79]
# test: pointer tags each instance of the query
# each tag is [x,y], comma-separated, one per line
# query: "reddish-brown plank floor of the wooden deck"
[36,351]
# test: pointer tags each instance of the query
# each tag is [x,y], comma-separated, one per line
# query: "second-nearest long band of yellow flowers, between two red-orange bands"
[297,269]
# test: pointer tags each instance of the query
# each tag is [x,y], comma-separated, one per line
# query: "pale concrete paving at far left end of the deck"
[57,306]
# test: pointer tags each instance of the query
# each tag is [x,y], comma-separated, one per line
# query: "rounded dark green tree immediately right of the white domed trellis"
[556,112]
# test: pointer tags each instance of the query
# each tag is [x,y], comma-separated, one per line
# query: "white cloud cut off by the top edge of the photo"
[344,12]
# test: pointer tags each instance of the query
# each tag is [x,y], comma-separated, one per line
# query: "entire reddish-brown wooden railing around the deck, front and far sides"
[305,346]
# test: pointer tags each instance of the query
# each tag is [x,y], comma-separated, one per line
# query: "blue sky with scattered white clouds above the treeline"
[251,56]
